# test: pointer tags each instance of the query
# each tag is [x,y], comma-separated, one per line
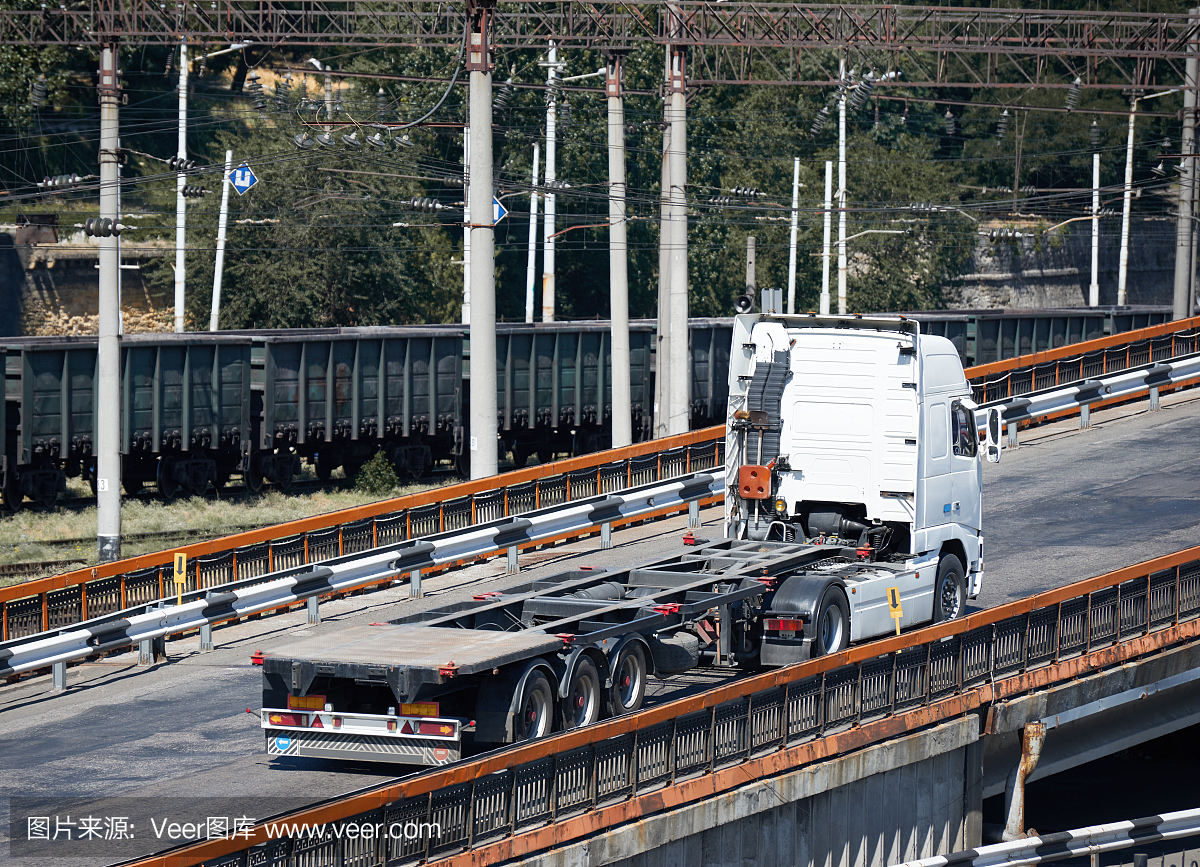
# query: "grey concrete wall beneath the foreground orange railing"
[911,798]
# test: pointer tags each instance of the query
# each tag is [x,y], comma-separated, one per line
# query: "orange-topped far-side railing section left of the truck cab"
[87,595]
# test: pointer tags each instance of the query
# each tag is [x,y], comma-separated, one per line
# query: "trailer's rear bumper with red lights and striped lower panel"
[429,742]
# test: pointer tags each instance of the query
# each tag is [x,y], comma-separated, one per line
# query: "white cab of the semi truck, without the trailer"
[860,432]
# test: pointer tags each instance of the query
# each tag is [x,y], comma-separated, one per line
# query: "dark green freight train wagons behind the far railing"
[201,409]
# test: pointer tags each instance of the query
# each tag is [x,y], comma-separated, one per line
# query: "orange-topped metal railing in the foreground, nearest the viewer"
[539,796]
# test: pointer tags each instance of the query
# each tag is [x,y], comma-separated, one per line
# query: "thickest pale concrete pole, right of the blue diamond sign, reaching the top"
[484,458]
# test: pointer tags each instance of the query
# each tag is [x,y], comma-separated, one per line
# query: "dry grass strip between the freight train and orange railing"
[31,536]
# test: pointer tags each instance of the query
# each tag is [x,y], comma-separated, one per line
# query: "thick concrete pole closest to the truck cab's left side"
[679,420]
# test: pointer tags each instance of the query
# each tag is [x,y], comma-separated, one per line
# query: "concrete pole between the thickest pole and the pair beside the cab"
[619,255]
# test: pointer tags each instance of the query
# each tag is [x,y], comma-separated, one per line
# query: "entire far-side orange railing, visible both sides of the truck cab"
[83,595]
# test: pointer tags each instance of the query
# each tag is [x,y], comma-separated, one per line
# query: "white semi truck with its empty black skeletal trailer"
[853,469]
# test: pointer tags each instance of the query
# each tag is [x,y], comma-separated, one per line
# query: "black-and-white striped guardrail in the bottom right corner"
[1064,845]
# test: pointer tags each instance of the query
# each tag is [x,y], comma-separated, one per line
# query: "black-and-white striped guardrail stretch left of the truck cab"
[243,599]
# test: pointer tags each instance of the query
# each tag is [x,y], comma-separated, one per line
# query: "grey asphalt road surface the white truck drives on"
[177,742]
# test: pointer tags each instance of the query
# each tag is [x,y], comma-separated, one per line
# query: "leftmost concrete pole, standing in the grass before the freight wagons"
[109,355]
